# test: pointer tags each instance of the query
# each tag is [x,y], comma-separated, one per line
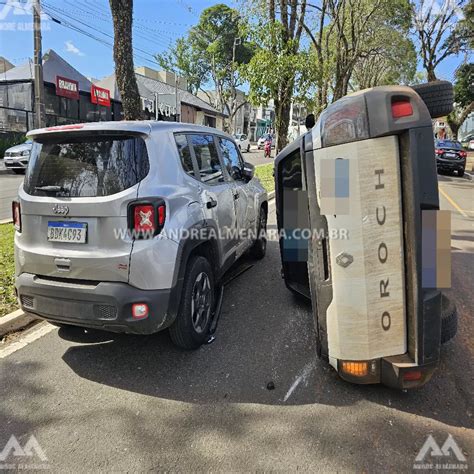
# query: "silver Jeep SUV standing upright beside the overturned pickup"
[130,226]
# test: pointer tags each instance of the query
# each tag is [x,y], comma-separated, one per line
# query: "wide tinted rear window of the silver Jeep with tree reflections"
[90,166]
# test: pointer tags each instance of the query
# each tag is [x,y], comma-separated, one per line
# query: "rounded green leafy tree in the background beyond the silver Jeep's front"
[212,53]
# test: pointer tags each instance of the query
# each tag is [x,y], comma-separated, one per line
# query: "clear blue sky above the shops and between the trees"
[157,24]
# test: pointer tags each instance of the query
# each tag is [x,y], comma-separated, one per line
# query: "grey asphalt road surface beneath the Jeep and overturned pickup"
[121,403]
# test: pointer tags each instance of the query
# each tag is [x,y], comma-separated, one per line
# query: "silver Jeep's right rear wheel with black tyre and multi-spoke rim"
[191,327]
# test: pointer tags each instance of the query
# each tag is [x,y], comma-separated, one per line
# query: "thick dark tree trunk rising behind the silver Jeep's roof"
[122,13]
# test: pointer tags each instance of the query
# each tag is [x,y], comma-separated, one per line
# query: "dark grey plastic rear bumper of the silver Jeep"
[101,305]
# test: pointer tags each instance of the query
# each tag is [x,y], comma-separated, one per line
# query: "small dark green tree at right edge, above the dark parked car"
[463,97]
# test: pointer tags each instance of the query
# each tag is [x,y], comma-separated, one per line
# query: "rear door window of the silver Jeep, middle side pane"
[207,158]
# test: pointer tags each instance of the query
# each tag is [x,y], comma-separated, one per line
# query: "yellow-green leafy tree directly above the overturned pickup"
[360,43]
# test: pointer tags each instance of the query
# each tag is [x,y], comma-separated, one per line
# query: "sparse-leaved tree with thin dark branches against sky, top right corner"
[438,32]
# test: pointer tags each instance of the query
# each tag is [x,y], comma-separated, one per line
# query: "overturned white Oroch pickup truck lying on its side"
[362,236]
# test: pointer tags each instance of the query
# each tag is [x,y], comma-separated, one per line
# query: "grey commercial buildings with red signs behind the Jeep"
[70,97]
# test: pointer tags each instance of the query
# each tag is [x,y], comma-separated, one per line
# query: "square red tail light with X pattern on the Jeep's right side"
[146,219]
